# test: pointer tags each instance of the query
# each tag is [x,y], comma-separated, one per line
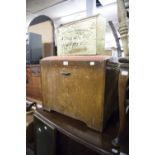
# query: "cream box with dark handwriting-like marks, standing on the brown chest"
[82,37]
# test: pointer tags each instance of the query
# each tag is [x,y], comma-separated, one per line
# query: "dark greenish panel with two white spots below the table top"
[45,138]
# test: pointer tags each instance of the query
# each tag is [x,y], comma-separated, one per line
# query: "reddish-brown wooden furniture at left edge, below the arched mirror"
[33,82]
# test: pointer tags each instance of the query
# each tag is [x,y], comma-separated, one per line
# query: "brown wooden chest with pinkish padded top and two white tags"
[80,87]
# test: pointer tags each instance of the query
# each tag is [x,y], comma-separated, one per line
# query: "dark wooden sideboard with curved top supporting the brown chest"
[72,137]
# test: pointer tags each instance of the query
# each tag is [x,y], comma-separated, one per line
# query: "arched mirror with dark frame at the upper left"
[43,26]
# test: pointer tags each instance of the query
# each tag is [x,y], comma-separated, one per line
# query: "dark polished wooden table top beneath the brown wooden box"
[78,131]
